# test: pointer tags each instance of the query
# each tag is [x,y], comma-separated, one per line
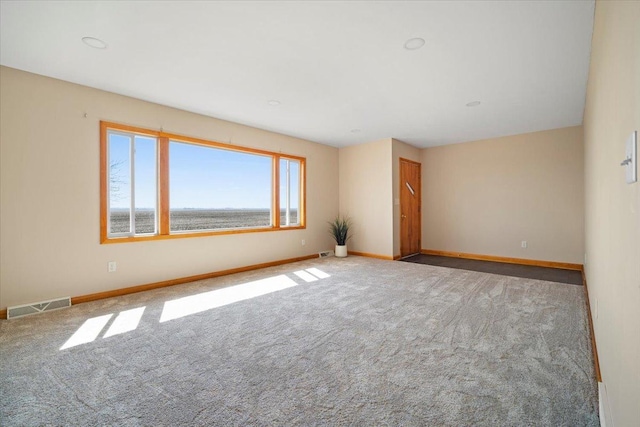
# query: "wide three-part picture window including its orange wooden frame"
[156,185]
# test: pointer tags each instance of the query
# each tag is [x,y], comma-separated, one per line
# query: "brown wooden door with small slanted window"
[410,199]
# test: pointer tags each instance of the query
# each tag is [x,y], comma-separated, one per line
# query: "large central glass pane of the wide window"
[211,188]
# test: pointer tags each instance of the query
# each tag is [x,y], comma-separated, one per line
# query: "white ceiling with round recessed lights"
[334,66]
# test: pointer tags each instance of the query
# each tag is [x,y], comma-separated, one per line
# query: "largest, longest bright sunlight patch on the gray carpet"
[193,304]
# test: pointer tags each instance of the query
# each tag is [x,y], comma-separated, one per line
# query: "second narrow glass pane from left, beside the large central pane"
[145,185]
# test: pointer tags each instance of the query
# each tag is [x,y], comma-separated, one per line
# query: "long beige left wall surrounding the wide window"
[49,218]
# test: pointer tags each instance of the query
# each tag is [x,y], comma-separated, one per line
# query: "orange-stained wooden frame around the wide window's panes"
[163,208]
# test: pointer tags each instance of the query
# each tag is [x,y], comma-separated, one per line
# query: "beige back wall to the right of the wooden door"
[486,197]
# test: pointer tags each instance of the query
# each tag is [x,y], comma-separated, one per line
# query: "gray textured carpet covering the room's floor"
[376,343]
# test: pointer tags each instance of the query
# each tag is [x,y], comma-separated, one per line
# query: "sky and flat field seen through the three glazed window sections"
[209,187]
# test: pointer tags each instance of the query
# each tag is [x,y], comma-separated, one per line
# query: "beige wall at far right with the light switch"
[613,207]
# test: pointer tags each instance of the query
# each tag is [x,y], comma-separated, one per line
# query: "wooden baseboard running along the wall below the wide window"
[163,284]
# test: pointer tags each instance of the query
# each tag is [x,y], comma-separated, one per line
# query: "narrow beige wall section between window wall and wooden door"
[366,196]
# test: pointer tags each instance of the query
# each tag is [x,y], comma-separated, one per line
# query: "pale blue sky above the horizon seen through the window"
[201,177]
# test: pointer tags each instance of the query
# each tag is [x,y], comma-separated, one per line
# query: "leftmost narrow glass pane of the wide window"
[119,183]
